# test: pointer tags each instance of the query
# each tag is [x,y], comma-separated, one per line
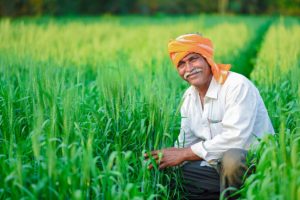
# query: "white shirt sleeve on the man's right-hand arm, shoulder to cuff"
[237,124]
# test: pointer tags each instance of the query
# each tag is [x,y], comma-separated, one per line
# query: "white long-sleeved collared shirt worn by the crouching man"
[233,115]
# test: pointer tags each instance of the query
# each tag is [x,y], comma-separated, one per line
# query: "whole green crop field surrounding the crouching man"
[81,100]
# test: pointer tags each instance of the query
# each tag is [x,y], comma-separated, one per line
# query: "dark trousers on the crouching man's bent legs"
[204,182]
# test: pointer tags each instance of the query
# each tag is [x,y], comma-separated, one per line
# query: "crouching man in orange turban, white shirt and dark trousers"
[222,115]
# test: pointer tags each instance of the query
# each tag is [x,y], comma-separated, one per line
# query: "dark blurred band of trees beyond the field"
[66,7]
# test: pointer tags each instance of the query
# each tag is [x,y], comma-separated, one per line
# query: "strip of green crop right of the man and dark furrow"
[277,73]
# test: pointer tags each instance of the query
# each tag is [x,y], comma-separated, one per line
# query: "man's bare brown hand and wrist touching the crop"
[171,157]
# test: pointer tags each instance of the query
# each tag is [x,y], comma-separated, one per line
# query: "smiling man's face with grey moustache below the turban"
[195,70]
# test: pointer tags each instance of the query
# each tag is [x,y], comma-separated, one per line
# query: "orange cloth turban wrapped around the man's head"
[194,43]
